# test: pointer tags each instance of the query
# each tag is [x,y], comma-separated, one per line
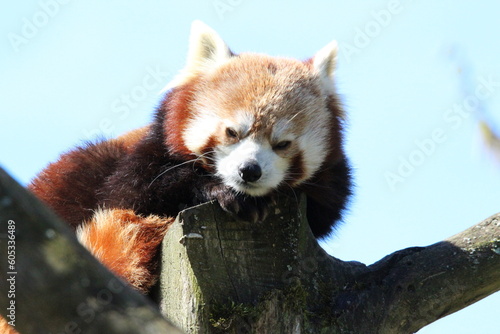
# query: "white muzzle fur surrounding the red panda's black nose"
[229,160]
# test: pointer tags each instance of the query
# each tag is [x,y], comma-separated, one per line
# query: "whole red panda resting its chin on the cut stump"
[239,129]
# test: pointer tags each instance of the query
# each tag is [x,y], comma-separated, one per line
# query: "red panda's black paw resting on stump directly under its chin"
[246,208]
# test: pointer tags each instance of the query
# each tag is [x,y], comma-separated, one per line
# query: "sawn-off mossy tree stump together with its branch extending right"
[220,275]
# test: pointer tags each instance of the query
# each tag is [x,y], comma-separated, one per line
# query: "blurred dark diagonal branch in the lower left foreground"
[55,285]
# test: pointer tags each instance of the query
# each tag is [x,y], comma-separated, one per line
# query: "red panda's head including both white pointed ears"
[257,121]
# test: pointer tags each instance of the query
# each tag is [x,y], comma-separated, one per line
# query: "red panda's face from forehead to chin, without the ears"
[261,122]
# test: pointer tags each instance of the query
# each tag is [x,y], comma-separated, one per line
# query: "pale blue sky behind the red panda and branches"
[72,70]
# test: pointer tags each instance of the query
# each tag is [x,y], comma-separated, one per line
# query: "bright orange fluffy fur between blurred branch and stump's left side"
[126,244]
